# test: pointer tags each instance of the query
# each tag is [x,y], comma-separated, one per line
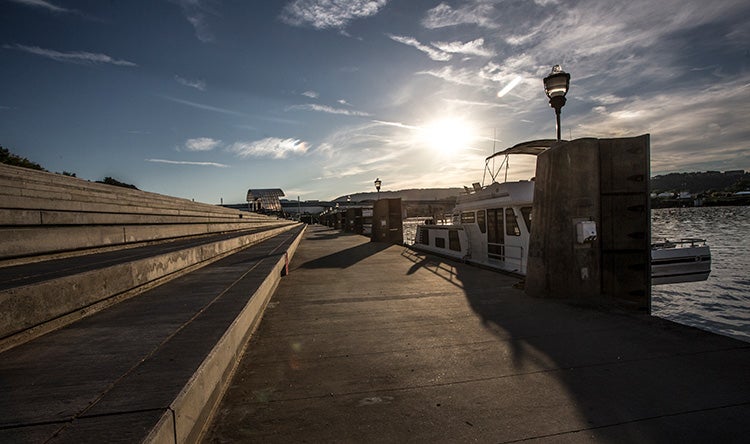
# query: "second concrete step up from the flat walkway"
[39,297]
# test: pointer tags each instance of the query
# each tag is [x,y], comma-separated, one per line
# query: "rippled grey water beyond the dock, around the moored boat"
[720,304]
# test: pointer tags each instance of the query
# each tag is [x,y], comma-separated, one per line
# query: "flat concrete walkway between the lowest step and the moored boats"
[365,342]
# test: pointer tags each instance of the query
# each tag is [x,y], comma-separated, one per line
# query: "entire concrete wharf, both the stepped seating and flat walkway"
[124,315]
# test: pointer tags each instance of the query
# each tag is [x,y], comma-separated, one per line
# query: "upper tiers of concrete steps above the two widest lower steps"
[50,214]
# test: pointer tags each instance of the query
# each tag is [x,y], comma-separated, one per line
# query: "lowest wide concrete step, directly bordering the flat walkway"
[149,369]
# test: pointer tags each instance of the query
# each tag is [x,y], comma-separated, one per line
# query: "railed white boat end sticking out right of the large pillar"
[686,260]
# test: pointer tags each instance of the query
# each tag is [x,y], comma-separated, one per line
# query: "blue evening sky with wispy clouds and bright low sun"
[205,99]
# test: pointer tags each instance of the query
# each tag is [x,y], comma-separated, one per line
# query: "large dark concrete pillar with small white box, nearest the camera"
[604,181]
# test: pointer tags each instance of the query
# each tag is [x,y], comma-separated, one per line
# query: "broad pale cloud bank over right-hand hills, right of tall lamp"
[688,127]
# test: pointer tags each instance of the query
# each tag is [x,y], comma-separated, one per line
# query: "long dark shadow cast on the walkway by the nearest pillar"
[629,377]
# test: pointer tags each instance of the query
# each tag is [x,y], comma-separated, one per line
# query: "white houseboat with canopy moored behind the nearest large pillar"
[491,227]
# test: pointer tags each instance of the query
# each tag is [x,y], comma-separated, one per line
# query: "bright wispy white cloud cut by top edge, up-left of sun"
[328,14]
